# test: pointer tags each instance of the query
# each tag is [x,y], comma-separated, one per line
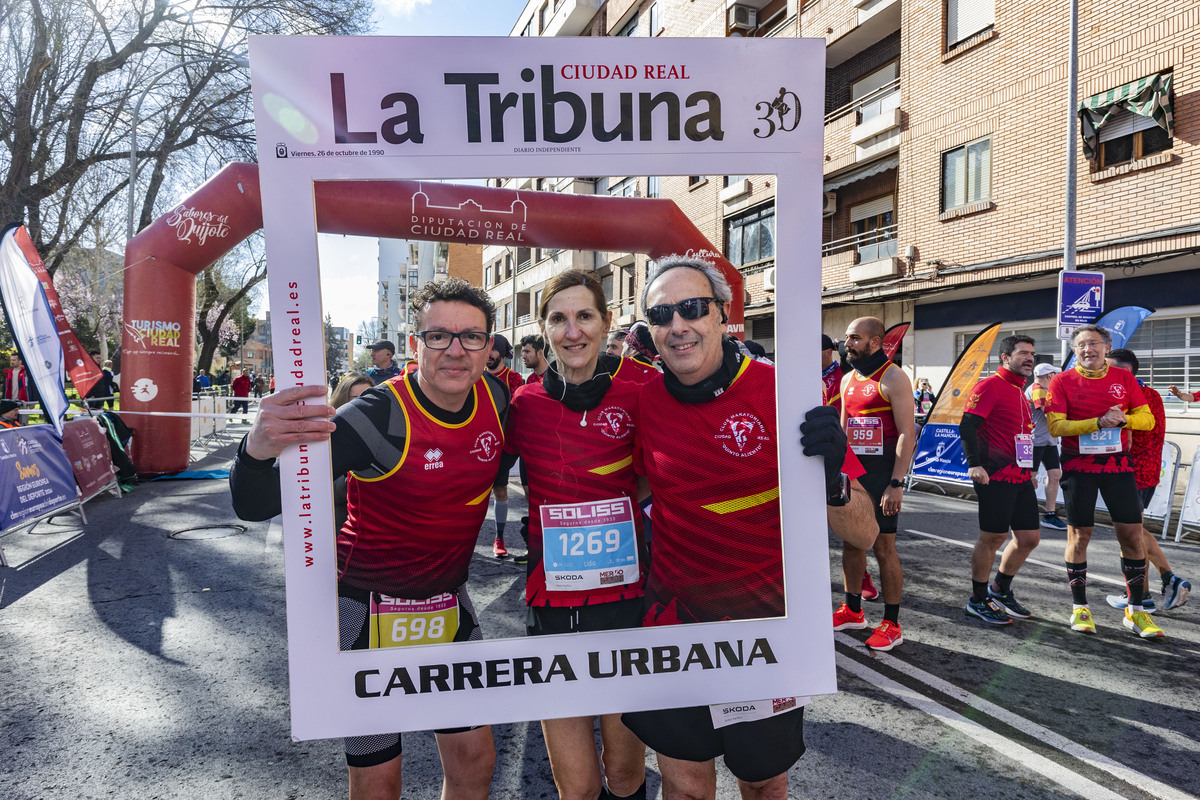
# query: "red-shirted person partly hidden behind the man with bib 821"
[1147,454]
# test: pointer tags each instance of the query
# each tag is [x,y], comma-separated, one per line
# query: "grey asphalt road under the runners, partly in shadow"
[135,665]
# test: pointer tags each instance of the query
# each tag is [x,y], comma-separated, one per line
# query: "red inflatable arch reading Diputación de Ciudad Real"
[165,258]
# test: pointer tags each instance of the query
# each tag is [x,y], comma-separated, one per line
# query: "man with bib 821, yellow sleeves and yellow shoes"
[1093,408]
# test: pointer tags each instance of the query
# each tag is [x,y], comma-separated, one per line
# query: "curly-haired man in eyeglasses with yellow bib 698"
[422,452]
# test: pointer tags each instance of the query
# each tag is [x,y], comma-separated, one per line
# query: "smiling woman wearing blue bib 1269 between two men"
[574,431]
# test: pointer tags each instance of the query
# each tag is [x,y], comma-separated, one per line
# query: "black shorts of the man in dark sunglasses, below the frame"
[754,751]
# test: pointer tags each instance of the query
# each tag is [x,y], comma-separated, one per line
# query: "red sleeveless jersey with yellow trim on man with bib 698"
[411,533]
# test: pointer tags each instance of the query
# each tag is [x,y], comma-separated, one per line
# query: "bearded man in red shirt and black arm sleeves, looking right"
[998,441]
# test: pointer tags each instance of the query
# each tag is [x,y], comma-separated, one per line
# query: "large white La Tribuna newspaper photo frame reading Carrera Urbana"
[317,105]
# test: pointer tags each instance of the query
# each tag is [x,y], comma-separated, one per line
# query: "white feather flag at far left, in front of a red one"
[33,327]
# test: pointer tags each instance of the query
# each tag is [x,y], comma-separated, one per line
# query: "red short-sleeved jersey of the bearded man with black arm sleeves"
[1001,402]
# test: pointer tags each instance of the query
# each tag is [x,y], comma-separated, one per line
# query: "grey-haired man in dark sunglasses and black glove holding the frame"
[707,446]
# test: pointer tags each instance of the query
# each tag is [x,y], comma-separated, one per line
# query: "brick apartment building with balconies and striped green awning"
[945,169]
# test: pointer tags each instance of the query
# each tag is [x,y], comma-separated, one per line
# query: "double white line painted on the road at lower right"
[1019,754]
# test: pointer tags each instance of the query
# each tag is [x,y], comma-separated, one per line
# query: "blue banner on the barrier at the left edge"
[35,474]
